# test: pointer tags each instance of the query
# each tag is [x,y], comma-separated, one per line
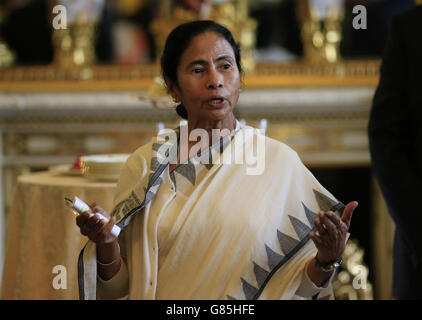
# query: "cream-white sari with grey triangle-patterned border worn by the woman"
[214,231]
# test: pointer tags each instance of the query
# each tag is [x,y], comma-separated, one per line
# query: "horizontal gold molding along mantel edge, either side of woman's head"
[140,77]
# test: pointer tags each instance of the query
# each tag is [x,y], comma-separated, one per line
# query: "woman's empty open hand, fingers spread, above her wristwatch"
[332,231]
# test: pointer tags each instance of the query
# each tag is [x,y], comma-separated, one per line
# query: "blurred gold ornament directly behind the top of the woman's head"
[232,14]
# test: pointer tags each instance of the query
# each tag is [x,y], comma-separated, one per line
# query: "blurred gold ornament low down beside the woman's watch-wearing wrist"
[351,282]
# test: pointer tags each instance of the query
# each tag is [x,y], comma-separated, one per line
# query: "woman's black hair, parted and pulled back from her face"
[177,42]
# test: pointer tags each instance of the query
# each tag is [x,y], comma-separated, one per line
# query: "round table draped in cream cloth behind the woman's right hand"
[43,240]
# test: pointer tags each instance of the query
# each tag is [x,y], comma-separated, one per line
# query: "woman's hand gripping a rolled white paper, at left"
[94,228]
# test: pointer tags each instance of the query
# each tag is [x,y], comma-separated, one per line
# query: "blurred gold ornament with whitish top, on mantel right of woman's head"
[321,30]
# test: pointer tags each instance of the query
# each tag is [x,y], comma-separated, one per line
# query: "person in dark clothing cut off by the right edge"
[395,135]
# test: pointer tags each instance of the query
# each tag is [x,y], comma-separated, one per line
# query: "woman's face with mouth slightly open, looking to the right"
[208,78]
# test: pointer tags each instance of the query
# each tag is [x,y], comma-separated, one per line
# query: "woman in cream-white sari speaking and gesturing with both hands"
[198,230]
